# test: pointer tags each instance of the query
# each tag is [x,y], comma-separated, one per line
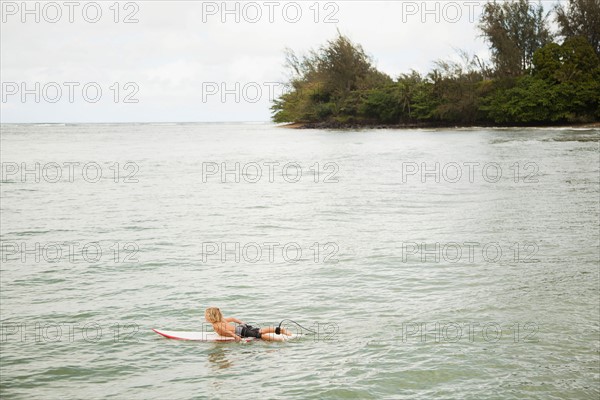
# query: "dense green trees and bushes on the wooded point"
[534,76]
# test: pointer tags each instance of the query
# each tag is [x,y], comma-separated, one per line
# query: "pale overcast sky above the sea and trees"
[169,61]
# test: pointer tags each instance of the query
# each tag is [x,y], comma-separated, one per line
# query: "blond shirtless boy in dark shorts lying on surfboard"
[224,327]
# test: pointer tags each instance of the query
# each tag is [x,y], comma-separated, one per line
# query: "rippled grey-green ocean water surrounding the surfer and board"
[426,263]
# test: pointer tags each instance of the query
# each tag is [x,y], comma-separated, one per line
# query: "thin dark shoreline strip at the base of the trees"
[353,126]
